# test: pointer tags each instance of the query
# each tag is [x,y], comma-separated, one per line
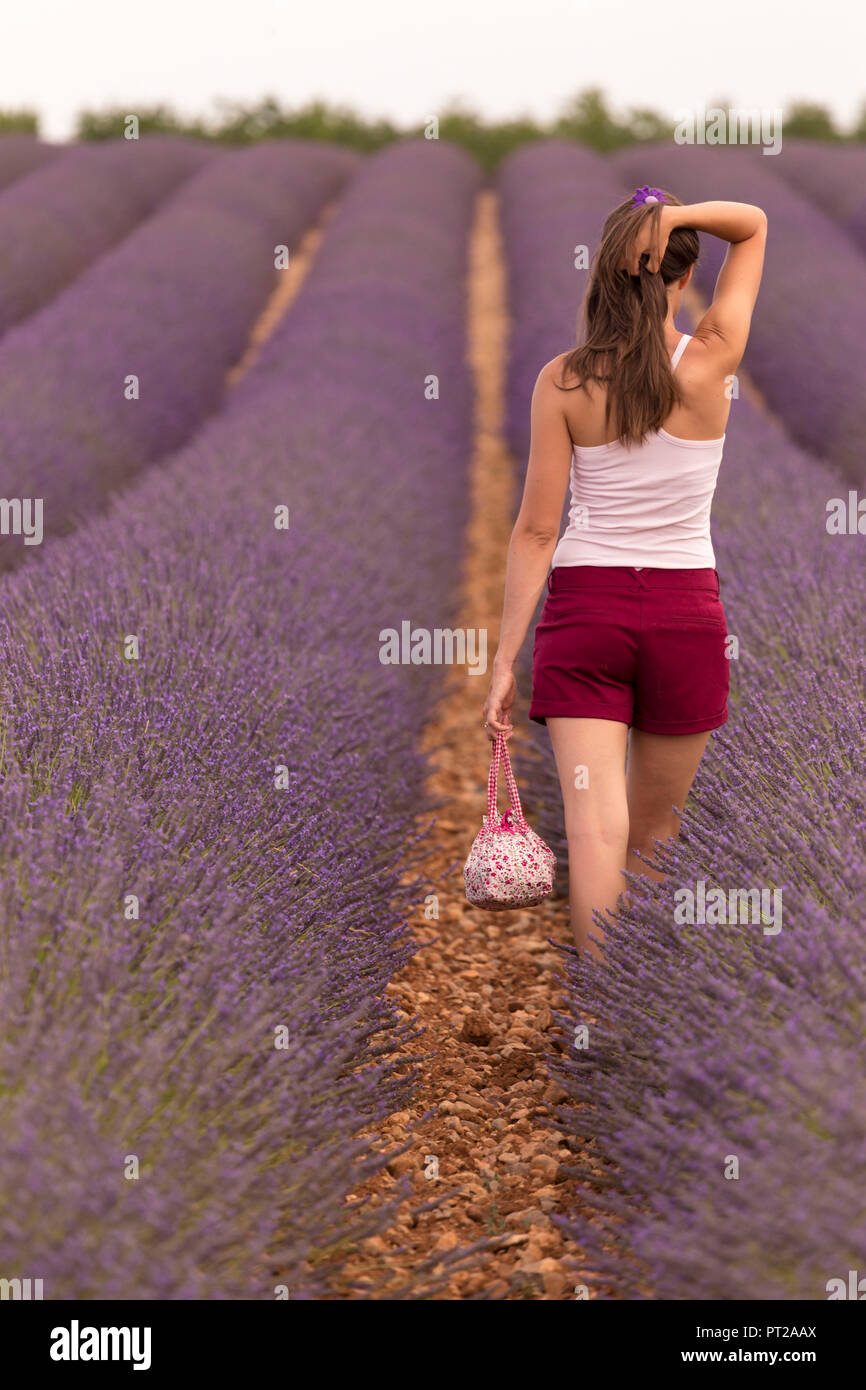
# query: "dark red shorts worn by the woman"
[643,647]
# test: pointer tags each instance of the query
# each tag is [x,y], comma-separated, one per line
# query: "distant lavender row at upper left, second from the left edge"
[62,219]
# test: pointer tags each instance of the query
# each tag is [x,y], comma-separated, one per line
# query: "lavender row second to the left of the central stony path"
[130,359]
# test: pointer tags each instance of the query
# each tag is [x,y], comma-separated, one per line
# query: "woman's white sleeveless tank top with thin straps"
[646,507]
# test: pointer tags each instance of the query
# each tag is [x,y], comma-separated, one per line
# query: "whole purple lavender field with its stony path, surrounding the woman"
[216,810]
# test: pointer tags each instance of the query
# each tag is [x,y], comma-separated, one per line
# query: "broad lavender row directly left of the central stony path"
[211,787]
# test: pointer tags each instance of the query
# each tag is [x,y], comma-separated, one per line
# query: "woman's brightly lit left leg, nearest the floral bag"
[591,765]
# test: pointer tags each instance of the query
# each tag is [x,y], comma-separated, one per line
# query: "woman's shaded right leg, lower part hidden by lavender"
[661,772]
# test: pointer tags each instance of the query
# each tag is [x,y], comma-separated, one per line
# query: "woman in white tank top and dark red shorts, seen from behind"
[630,668]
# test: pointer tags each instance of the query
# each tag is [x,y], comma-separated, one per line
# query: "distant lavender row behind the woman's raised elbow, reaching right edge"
[806,350]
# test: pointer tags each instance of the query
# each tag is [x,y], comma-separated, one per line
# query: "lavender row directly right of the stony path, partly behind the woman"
[719,1111]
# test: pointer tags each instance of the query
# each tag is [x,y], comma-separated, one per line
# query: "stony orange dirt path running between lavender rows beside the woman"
[483,985]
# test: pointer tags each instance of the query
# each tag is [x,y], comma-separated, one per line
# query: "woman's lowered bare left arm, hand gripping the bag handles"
[533,540]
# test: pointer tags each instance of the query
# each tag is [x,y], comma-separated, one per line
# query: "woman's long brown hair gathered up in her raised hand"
[623,320]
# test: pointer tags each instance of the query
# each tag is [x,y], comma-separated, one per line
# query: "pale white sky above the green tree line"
[405,60]
